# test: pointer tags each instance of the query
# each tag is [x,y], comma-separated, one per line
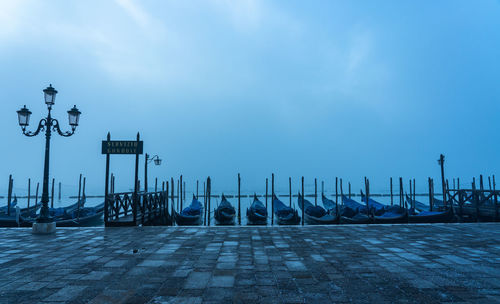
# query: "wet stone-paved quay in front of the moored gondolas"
[361,264]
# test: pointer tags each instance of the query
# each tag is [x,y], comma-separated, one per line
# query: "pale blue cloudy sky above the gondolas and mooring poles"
[316,88]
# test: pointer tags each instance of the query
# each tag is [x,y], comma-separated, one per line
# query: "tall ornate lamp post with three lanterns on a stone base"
[48,125]
